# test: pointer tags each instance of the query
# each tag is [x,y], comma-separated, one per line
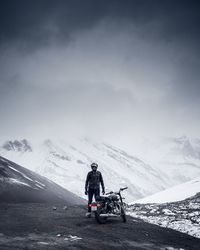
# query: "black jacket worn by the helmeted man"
[93,180]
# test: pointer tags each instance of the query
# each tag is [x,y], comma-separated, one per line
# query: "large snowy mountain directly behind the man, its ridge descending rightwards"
[67,164]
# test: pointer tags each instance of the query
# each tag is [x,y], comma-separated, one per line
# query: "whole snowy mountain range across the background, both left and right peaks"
[164,164]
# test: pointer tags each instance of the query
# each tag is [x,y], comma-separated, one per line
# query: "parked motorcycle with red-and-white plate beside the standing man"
[109,205]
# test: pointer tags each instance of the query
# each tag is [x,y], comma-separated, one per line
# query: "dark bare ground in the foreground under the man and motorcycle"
[44,226]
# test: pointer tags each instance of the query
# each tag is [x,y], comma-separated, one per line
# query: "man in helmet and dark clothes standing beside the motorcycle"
[92,185]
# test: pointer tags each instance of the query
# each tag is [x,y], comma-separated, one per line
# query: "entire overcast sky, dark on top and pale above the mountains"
[114,70]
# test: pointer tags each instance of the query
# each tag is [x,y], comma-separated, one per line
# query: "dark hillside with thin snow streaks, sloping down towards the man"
[18,184]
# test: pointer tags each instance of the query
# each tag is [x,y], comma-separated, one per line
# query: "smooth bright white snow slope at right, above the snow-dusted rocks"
[173,194]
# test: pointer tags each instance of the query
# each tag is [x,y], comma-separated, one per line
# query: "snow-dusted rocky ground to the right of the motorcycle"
[183,216]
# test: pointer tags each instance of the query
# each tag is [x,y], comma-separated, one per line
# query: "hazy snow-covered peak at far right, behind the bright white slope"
[179,158]
